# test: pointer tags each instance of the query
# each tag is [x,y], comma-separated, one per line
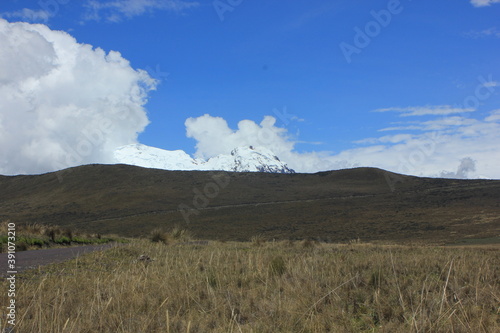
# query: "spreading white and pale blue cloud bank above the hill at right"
[448,144]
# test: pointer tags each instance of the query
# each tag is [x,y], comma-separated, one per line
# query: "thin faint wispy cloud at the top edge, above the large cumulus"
[117,10]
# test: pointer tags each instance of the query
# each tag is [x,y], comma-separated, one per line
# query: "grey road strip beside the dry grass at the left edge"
[34,258]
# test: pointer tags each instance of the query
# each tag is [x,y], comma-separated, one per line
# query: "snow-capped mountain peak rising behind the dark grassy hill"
[241,159]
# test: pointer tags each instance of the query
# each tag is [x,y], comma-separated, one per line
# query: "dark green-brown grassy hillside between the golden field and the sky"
[336,206]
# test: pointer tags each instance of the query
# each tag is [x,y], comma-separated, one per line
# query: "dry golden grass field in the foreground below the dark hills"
[273,287]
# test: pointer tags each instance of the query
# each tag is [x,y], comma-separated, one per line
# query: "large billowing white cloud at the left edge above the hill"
[63,103]
